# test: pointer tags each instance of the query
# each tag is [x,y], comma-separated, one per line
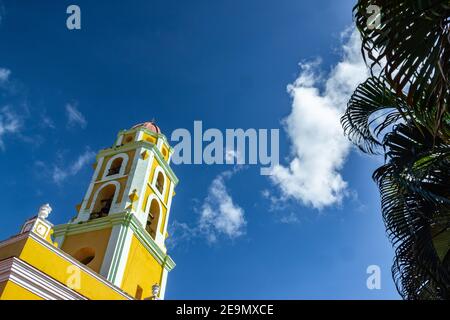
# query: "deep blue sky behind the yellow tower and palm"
[65,94]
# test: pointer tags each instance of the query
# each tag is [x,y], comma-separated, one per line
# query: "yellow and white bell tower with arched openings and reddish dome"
[121,225]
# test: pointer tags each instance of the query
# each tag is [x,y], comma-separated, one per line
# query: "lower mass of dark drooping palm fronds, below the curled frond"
[415,204]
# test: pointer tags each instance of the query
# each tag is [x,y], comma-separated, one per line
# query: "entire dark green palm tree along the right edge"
[402,111]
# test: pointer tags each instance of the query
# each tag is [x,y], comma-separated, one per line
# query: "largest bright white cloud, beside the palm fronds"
[318,144]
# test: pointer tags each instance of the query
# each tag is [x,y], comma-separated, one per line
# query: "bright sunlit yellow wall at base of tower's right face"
[142,269]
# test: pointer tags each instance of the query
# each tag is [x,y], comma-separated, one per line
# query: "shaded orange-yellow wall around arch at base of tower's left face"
[97,240]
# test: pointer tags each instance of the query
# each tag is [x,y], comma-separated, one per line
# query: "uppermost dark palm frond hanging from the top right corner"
[412,44]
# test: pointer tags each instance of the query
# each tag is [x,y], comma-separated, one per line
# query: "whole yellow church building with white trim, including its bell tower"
[114,247]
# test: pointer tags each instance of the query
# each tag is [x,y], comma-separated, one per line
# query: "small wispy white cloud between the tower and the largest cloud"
[220,215]
